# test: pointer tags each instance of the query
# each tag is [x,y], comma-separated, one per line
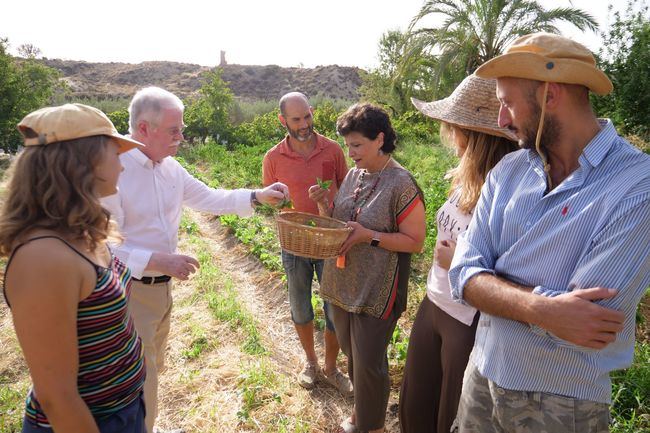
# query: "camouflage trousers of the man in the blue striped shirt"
[487,408]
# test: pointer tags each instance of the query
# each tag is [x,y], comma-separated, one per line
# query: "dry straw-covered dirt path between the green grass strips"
[264,296]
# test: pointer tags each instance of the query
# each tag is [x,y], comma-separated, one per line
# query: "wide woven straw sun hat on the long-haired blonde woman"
[472,105]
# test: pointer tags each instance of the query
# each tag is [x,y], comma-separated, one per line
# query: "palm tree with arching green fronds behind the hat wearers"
[429,61]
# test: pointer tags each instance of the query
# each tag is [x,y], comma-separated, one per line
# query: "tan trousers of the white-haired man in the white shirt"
[150,306]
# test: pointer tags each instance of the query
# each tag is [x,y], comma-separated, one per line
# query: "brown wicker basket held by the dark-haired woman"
[322,241]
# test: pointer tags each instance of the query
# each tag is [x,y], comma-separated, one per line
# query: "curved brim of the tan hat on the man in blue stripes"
[533,66]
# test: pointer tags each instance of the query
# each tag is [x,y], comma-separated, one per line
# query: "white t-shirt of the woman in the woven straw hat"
[451,223]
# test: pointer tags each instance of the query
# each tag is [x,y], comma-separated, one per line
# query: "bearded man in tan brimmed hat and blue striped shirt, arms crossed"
[556,257]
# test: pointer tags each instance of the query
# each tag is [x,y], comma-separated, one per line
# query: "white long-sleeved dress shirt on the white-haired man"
[149,204]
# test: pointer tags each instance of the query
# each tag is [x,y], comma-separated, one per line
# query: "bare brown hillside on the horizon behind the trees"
[116,80]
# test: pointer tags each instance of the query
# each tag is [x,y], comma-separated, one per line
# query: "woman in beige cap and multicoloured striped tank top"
[67,292]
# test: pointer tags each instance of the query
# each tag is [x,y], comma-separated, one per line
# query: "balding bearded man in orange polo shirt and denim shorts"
[298,160]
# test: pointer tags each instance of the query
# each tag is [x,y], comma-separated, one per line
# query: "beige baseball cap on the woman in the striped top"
[68,122]
